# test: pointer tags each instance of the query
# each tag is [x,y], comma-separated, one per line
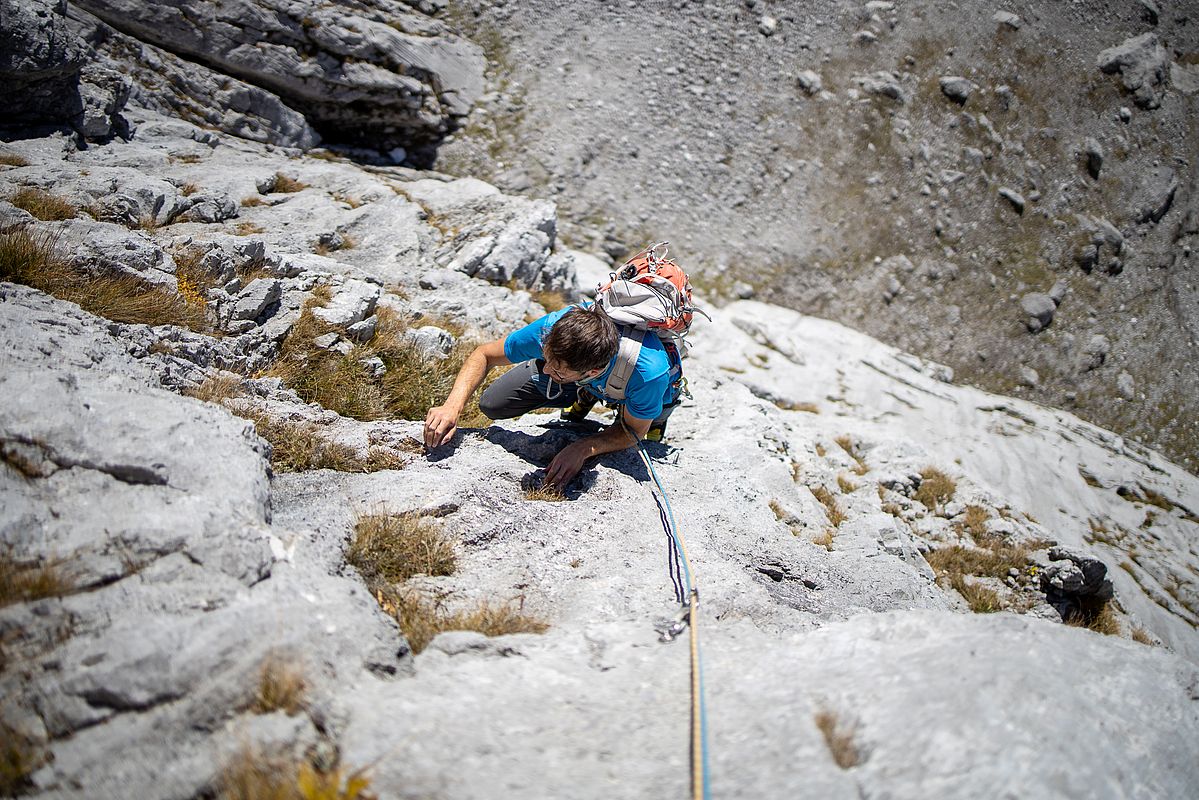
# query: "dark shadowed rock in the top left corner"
[40,63]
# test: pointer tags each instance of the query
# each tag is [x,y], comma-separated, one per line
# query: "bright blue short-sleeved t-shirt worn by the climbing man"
[648,387]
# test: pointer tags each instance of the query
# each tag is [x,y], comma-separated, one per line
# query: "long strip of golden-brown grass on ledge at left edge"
[34,261]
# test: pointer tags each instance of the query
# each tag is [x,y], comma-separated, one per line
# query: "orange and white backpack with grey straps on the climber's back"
[648,293]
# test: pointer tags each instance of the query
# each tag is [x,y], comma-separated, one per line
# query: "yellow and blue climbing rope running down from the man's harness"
[684,587]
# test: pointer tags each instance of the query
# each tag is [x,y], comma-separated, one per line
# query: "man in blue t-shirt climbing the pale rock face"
[568,360]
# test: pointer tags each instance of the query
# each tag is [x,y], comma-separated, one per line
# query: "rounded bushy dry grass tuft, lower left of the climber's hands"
[394,548]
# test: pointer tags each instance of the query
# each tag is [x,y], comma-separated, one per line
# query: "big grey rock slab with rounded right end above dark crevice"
[350,71]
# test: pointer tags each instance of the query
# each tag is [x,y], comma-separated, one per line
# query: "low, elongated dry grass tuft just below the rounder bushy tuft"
[421,618]
